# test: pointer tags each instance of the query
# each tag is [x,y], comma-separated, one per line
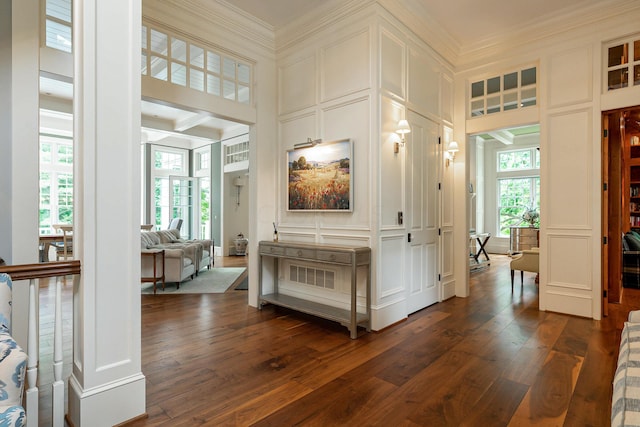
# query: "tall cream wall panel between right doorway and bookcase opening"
[569,139]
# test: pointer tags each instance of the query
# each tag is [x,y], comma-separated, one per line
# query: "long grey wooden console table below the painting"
[353,257]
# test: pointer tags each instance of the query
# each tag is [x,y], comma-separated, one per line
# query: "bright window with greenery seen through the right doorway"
[517,186]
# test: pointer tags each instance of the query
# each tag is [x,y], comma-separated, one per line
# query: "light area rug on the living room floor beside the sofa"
[216,280]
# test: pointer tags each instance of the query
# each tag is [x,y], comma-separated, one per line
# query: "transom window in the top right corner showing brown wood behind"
[622,68]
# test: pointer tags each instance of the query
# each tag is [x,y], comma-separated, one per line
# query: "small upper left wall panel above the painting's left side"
[297,84]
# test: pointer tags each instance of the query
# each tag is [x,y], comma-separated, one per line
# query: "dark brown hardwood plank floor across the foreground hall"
[492,359]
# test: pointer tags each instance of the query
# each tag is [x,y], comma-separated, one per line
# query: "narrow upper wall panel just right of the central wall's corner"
[392,64]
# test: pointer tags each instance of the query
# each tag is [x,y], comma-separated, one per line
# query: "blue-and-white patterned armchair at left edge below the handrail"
[13,363]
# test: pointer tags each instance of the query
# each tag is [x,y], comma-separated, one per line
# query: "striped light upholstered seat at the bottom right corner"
[625,402]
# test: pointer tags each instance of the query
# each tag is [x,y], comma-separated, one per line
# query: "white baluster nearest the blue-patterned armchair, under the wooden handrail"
[32,351]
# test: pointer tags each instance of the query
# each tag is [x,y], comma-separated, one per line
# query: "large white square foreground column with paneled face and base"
[107,386]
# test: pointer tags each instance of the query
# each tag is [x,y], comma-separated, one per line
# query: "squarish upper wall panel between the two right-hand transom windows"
[570,77]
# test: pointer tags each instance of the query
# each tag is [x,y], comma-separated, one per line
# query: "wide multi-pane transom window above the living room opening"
[190,64]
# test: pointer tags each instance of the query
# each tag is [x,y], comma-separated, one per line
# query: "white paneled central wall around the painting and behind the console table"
[357,80]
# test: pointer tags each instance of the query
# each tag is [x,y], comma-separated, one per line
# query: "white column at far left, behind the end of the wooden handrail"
[22,150]
